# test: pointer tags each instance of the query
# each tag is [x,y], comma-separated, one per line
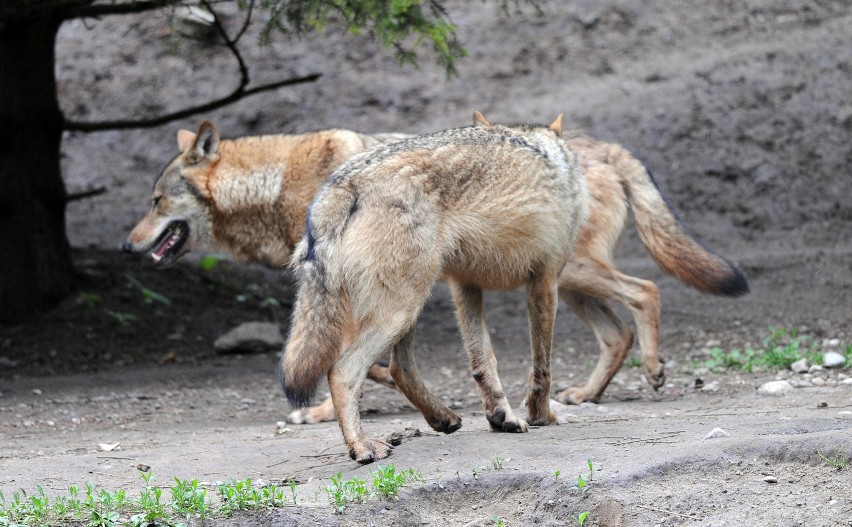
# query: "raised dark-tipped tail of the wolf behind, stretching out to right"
[674,250]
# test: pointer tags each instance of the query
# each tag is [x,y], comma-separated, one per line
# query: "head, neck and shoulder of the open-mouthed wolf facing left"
[246,197]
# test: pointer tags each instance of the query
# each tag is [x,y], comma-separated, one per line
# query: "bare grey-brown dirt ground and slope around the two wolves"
[742,110]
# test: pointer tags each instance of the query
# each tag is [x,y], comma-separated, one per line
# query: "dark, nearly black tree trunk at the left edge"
[35,257]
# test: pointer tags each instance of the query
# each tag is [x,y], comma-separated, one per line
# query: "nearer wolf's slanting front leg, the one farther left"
[483,364]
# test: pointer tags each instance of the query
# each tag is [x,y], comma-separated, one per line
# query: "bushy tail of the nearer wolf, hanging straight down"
[321,308]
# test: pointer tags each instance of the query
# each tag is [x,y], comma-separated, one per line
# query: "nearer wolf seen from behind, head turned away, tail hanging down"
[489,207]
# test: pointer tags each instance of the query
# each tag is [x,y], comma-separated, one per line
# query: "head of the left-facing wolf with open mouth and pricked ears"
[179,219]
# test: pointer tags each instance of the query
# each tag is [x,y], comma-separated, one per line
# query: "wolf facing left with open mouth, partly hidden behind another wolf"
[219,194]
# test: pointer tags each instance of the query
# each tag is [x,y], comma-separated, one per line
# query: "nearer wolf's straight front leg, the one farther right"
[541,306]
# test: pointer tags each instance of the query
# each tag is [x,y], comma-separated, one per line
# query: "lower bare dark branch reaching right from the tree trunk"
[236,95]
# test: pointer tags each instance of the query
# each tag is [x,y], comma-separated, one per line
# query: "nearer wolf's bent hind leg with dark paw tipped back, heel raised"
[407,378]
